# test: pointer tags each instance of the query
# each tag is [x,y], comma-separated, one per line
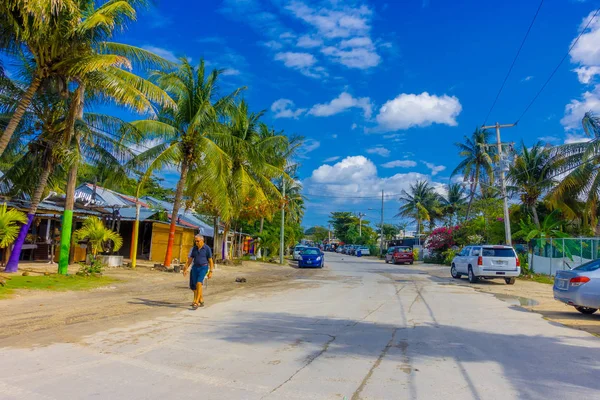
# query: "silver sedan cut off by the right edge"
[579,287]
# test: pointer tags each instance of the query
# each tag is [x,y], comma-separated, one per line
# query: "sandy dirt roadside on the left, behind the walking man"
[37,317]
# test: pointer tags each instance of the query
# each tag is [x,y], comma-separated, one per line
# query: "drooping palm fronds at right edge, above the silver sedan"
[578,161]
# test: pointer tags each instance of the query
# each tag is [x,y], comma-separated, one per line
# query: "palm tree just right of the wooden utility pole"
[531,175]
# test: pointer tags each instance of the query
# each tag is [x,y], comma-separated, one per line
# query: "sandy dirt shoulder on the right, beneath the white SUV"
[528,295]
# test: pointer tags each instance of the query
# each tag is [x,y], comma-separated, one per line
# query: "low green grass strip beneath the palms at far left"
[56,283]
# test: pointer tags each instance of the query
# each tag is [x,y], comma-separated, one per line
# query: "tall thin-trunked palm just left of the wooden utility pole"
[477,161]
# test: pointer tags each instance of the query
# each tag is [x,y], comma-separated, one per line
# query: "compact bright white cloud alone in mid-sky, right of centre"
[410,110]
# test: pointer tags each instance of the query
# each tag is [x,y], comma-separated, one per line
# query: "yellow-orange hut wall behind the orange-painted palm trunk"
[184,240]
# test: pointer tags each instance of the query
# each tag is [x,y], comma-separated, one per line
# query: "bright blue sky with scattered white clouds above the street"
[382,90]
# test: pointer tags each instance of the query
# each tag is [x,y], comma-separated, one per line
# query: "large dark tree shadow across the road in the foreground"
[535,366]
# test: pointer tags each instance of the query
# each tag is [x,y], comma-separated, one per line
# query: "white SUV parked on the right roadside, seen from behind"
[486,261]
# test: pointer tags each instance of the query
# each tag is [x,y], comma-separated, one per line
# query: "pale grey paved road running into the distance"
[360,329]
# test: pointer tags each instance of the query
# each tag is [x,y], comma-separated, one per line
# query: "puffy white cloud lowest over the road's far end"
[356,176]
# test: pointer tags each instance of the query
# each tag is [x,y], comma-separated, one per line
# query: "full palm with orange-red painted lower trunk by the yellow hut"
[188,134]
